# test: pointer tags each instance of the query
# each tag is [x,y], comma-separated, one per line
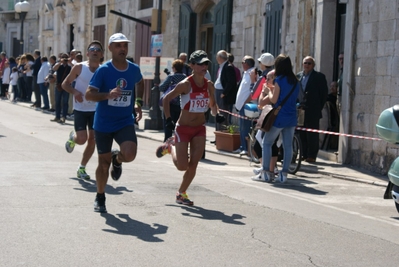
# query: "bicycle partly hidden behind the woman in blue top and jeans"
[296,160]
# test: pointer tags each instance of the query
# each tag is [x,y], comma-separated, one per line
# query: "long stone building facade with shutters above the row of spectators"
[366,30]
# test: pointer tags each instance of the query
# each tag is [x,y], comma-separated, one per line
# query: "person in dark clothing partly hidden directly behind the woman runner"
[173,79]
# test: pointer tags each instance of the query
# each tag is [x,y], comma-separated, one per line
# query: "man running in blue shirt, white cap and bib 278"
[116,85]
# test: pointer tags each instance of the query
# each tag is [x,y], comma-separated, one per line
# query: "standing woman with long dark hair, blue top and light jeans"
[286,120]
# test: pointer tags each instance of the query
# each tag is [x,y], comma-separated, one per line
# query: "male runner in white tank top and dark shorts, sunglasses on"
[84,110]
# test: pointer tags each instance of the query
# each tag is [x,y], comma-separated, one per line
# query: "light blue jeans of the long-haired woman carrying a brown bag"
[268,140]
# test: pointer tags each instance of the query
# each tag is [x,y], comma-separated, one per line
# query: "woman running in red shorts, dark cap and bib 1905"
[197,95]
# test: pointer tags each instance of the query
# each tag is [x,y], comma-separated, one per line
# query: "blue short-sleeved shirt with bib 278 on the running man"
[114,114]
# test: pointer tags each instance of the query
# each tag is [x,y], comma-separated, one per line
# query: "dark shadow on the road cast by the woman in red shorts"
[201,213]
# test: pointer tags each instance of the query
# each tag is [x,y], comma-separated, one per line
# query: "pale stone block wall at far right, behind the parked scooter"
[376,82]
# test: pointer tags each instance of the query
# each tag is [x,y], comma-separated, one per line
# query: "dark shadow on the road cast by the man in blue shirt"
[124,225]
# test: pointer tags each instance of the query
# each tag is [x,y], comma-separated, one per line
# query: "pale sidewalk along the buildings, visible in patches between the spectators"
[323,165]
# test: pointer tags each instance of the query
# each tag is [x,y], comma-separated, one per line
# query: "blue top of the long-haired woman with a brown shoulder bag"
[287,116]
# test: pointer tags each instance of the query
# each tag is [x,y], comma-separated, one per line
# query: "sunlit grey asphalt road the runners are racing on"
[47,218]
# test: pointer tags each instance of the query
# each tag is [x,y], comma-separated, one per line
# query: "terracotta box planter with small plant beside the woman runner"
[228,139]
